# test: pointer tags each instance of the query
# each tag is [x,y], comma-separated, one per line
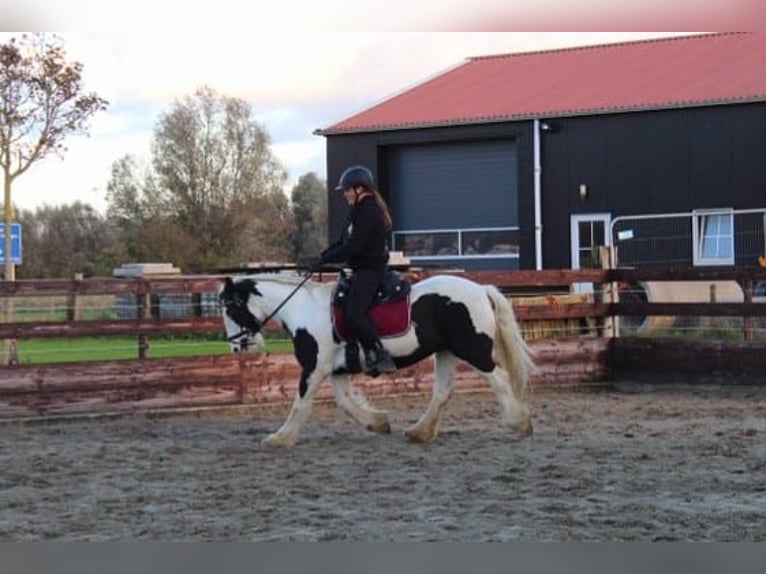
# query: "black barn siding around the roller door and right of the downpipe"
[639,162]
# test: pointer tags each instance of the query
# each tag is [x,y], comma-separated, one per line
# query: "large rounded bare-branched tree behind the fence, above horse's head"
[216,178]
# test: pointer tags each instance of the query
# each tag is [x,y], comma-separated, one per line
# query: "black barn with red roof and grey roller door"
[528,160]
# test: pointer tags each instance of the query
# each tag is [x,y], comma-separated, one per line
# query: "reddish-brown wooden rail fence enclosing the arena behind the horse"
[586,355]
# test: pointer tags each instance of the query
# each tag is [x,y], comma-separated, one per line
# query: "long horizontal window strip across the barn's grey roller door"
[464,243]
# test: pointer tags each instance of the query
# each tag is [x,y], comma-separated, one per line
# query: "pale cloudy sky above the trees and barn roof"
[297,74]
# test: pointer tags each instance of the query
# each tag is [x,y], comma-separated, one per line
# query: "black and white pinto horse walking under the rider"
[452,318]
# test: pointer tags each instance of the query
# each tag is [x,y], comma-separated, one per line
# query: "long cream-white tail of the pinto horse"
[512,352]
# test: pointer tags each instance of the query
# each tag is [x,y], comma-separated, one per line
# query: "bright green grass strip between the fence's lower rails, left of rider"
[37,351]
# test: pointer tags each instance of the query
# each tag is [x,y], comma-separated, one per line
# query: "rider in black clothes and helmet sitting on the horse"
[362,246]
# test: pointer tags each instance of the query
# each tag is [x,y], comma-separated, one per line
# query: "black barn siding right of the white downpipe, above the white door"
[650,162]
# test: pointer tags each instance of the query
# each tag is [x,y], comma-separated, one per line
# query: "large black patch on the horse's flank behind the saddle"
[444,325]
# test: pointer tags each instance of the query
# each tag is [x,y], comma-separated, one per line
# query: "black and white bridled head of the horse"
[240,314]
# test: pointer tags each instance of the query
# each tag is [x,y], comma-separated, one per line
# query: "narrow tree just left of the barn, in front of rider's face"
[309,206]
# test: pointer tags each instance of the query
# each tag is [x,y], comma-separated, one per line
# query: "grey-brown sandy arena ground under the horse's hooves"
[639,463]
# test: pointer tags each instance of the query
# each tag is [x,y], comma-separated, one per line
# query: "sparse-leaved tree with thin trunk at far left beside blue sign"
[41,103]
